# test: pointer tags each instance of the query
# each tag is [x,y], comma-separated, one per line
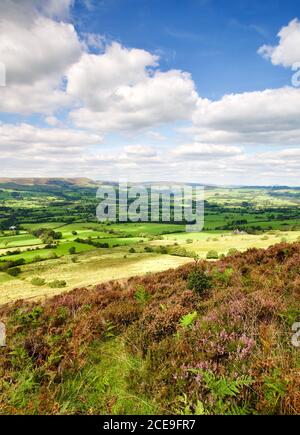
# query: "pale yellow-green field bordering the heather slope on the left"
[92,268]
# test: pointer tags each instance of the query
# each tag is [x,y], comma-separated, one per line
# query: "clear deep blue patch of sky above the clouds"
[215,40]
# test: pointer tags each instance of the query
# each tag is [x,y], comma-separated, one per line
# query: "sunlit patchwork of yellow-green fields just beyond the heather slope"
[87,265]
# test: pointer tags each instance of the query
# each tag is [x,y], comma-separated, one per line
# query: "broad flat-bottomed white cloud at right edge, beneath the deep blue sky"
[263,117]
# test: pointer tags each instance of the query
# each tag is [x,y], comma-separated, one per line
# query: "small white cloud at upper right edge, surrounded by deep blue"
[287,52]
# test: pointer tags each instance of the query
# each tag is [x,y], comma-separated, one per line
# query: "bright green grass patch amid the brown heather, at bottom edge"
[103,384]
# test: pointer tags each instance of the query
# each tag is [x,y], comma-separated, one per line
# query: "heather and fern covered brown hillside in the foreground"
[206,338]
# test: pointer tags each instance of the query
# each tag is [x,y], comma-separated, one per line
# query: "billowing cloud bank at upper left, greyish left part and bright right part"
[118,89]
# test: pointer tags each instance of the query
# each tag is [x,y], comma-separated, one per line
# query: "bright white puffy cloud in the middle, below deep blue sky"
[122,90]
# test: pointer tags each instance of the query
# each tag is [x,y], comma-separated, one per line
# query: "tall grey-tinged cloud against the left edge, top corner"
[36,52]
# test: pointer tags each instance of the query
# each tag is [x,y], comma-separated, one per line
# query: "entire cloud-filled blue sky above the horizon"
[204,91]
